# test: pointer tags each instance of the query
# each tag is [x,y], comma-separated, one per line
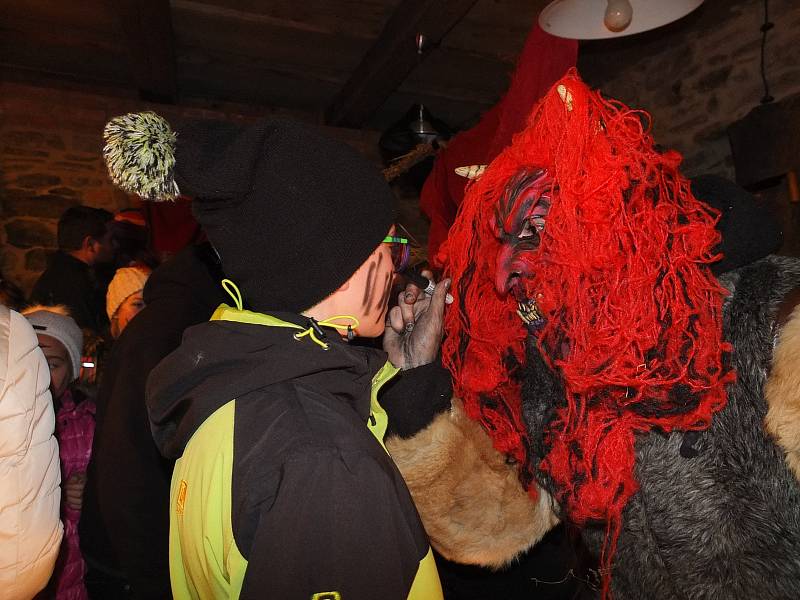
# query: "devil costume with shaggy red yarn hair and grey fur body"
[618,391]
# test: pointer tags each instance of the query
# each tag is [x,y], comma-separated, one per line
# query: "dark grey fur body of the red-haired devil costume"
[717,514]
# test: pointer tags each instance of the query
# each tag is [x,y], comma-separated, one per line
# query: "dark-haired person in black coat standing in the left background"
[84,244]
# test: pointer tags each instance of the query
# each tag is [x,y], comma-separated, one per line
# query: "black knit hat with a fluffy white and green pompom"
[292,213]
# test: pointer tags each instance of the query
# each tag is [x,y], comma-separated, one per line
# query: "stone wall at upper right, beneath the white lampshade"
[699,75]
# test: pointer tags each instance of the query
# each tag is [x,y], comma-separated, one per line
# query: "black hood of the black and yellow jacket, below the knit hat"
[239,352]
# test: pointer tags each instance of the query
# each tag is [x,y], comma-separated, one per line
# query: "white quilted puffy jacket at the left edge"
[30,478]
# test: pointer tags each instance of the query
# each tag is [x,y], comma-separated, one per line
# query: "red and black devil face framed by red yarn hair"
[519,223]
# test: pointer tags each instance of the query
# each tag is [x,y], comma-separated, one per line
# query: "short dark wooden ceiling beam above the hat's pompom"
[147,26]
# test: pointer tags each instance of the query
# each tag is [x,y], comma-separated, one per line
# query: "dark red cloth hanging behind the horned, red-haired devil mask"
[544,59]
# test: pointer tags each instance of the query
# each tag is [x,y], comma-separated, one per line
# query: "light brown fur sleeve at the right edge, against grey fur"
[783,392]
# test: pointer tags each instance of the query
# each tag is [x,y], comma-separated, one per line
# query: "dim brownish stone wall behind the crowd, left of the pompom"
[51,158]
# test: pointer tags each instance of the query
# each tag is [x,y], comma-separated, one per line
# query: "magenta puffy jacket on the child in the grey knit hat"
[75,431]
